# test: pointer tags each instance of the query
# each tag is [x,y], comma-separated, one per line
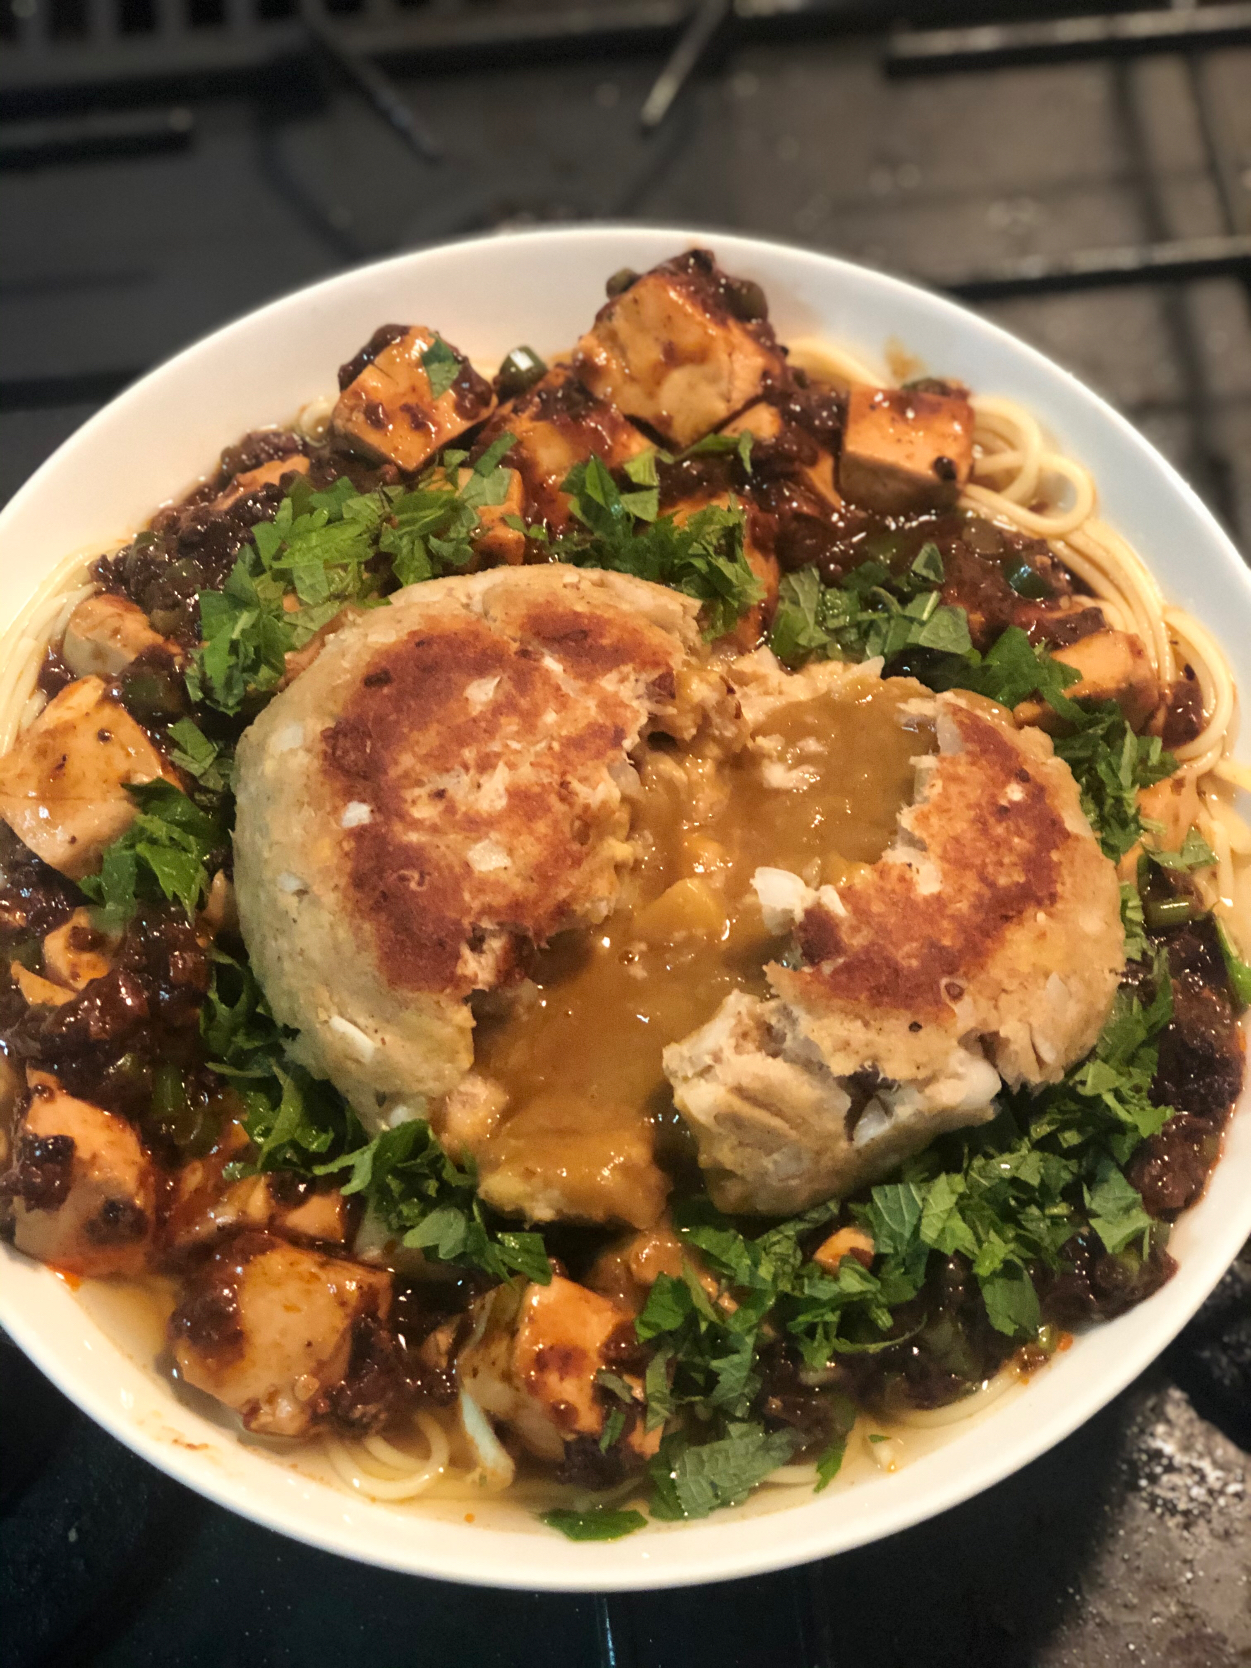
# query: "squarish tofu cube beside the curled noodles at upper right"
[907,450]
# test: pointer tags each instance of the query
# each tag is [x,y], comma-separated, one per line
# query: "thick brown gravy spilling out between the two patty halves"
[580,1053]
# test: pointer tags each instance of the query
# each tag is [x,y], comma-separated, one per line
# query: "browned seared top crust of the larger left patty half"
[408,877]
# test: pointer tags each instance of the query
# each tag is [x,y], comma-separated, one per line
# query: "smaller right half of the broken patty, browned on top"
[985,945]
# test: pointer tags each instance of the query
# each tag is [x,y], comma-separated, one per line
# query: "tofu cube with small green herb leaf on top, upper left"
[409,398]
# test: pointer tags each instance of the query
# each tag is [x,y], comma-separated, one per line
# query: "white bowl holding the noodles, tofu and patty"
[488,296]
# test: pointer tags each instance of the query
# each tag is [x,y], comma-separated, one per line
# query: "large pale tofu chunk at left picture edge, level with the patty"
[64,786]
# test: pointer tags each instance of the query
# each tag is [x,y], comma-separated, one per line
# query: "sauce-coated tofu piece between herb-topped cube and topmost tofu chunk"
[558,425]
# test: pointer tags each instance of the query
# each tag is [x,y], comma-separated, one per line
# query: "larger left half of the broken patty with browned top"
[436,793]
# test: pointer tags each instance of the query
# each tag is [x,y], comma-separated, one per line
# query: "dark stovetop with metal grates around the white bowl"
[158,178]
